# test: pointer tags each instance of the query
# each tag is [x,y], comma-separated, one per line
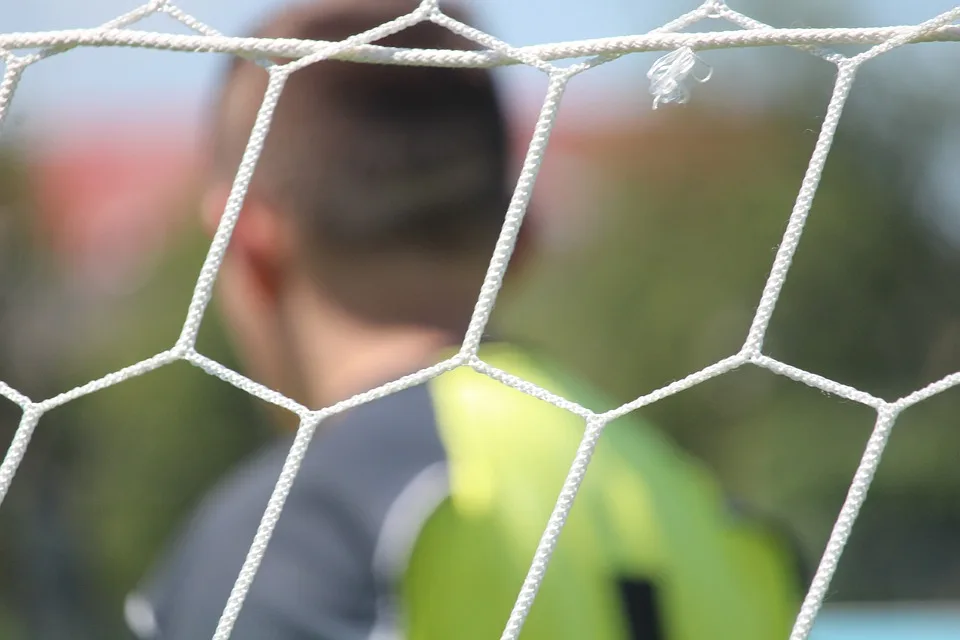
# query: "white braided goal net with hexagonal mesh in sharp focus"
[671,81]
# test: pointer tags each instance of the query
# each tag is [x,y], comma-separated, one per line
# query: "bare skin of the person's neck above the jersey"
[340,356]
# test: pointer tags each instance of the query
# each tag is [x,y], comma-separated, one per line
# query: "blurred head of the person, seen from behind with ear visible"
[376,201]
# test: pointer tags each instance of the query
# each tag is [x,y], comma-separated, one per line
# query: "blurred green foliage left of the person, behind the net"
[109,475]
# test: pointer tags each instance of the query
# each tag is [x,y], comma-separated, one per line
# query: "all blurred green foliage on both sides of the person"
[690,211]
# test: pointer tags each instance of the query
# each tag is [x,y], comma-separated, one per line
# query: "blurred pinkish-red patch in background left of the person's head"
[107,195]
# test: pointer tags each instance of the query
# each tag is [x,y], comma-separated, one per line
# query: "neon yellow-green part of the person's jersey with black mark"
[649,550]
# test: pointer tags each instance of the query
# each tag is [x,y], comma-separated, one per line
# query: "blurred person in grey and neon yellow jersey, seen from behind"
[358,258]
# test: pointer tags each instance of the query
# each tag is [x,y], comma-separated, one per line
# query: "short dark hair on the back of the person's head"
[369,157]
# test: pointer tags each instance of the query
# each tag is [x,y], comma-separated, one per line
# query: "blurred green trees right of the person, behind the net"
[692,209]
